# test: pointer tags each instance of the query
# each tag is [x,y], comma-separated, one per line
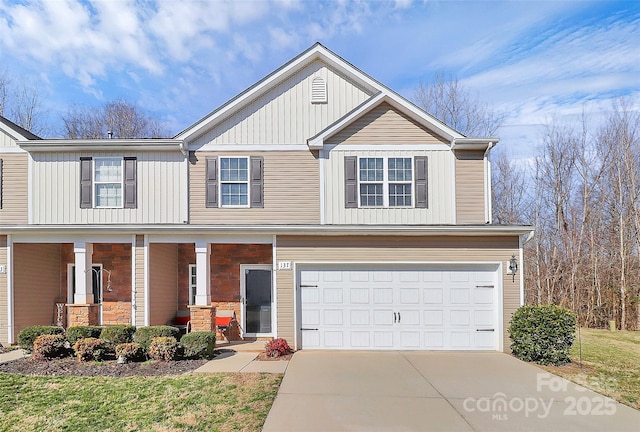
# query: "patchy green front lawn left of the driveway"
[216,402]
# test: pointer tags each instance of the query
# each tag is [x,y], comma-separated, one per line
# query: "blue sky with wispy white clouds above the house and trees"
[534,60]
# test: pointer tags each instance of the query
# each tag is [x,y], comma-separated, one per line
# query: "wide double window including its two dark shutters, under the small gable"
[386,182]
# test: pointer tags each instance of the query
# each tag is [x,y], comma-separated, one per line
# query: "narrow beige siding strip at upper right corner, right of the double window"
[470,193]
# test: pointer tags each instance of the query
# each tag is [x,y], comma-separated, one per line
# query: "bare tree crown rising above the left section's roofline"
[119,118]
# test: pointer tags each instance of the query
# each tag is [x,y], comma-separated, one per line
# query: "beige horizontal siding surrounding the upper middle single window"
[291,191]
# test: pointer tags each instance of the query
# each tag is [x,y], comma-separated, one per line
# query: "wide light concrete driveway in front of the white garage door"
[435,391]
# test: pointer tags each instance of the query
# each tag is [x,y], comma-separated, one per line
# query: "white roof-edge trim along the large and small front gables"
[320,52]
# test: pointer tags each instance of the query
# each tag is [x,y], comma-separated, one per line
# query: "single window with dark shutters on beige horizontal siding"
[234,181]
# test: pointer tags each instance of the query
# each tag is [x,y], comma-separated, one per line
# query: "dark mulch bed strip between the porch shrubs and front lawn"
[72,367]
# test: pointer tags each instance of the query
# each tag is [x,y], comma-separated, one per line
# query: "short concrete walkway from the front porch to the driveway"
[241,357]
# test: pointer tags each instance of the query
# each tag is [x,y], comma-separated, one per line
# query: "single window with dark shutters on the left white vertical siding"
[108,182]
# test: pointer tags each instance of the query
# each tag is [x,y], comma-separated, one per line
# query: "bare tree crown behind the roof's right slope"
[450,102]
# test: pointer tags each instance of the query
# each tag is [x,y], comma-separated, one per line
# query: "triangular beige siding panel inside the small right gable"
[385,125]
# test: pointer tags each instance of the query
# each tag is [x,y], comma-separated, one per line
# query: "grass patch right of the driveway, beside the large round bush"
[610,364]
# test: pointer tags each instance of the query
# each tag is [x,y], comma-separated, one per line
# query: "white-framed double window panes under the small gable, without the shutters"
[385,182]
